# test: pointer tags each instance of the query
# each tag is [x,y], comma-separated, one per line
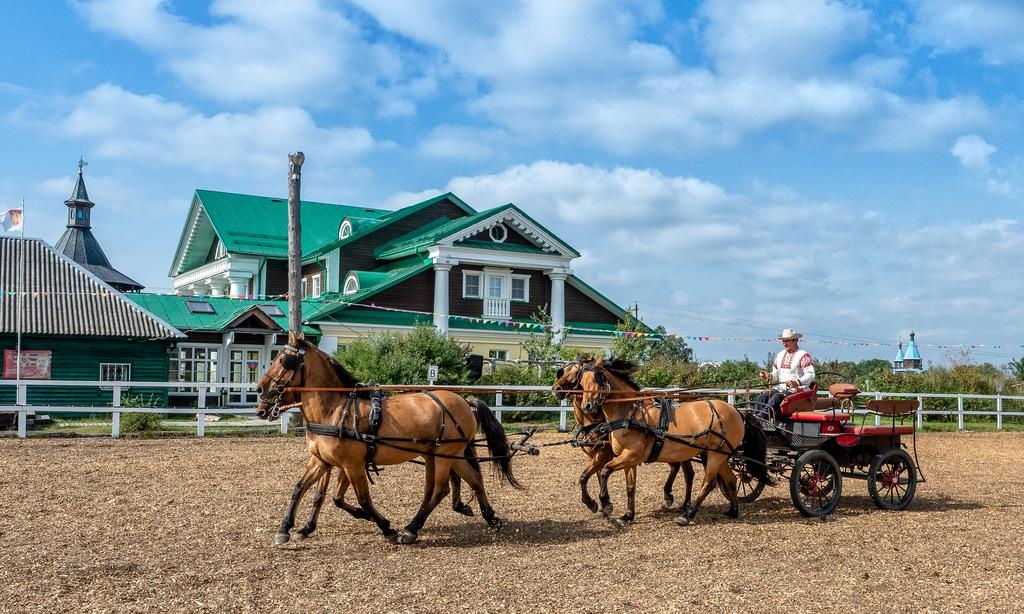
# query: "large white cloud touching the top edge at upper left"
[278,52]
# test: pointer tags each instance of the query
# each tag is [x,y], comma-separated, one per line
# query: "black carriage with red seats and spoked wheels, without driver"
[815,443]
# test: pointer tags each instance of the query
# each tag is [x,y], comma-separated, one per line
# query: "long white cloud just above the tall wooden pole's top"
[129,126]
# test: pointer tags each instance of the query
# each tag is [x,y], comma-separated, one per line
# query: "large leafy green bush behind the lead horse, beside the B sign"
[404,358]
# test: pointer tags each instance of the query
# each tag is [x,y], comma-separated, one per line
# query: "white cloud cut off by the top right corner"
[994,27]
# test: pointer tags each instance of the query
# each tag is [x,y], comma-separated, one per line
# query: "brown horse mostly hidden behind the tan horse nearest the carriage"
[593,442]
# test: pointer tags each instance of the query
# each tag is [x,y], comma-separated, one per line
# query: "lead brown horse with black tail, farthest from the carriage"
[438,428]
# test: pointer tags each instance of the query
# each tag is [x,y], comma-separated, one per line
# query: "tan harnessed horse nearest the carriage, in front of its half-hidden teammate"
[712,427]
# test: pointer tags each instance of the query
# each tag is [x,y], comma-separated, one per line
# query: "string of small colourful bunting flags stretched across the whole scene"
[533,327]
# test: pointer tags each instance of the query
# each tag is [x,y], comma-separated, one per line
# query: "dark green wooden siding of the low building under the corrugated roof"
[79,359]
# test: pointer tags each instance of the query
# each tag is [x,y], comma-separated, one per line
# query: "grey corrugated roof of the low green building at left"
[63,298]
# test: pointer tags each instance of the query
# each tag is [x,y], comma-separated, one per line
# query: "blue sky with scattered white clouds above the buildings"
[854,170]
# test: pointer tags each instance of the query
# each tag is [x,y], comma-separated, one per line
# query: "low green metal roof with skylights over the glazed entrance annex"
[173,310]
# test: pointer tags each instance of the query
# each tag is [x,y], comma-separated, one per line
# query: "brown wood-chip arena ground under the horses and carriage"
[98,525]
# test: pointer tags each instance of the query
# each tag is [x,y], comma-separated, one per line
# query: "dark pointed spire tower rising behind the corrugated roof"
[79,244]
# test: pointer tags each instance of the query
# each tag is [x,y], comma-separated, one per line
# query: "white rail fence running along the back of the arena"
[22,409]
